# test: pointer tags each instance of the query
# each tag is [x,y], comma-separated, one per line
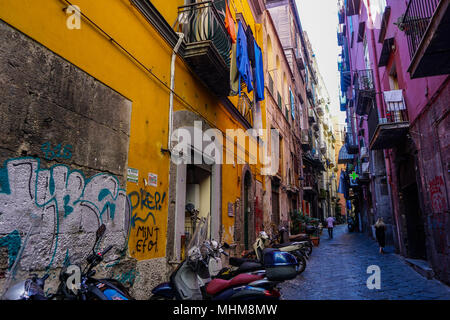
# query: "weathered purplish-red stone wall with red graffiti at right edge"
[431,133]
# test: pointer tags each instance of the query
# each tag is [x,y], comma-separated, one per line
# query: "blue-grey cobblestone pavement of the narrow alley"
[337,270]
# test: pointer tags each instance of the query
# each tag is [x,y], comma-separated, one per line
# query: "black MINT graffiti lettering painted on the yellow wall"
[144,232]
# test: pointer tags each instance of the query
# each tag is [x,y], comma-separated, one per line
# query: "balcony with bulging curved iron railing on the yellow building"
[207,45]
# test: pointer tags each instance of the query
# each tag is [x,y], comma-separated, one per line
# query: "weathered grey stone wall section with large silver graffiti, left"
[63,146]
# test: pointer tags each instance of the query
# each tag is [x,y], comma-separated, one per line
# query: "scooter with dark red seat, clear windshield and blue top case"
[192,278]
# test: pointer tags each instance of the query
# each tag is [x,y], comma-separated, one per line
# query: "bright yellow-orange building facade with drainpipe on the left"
[127,46]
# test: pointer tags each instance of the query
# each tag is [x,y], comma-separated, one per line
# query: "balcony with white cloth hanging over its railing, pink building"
[391,130]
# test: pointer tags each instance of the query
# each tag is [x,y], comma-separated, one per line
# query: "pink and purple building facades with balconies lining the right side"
[395,87]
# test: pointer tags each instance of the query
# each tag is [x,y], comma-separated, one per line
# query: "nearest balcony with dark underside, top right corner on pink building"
[427,26]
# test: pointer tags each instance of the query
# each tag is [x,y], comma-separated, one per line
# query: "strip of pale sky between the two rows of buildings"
[319,19]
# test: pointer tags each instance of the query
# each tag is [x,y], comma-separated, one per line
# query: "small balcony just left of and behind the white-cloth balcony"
[364,89]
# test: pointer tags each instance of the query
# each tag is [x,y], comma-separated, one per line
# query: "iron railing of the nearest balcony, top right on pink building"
[416,20]
